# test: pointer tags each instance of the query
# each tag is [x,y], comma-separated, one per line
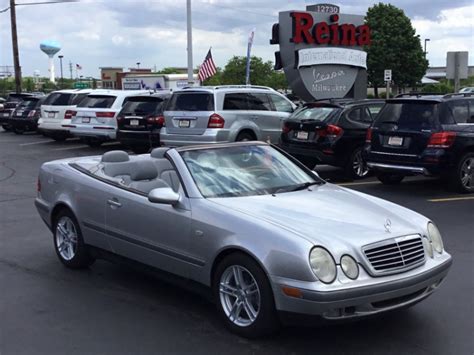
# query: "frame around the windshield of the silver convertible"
[313,177]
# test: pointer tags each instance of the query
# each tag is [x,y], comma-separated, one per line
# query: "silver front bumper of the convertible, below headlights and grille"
[362,301]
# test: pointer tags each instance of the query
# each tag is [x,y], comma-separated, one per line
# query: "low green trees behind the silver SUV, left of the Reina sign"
[234,71]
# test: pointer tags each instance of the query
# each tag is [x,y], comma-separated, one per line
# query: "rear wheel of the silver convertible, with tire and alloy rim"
[68,242]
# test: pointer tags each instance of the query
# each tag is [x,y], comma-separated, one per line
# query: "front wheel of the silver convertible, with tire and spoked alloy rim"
[244,297]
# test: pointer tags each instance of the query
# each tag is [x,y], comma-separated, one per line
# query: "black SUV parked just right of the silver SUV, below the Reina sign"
[331,133]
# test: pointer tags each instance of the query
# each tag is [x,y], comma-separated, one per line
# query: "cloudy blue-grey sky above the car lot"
[100,33]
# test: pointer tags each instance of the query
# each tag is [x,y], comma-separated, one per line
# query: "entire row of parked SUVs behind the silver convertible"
[411,134]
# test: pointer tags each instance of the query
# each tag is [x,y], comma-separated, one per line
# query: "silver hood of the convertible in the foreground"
[329,214]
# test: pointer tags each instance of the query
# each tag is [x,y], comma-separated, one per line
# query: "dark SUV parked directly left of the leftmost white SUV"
[25,117]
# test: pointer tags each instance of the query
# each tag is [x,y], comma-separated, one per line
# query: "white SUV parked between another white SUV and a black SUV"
[95,118]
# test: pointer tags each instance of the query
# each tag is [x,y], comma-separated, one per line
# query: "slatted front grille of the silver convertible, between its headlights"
[395,255]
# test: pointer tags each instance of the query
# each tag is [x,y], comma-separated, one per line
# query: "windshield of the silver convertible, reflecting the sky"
[245,171]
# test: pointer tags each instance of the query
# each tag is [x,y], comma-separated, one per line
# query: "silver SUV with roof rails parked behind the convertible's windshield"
[204,115]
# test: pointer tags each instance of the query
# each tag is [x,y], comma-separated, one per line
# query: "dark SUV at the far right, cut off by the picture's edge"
[429,135]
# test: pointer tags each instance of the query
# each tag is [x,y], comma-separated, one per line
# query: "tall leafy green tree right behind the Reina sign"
[394,46]
